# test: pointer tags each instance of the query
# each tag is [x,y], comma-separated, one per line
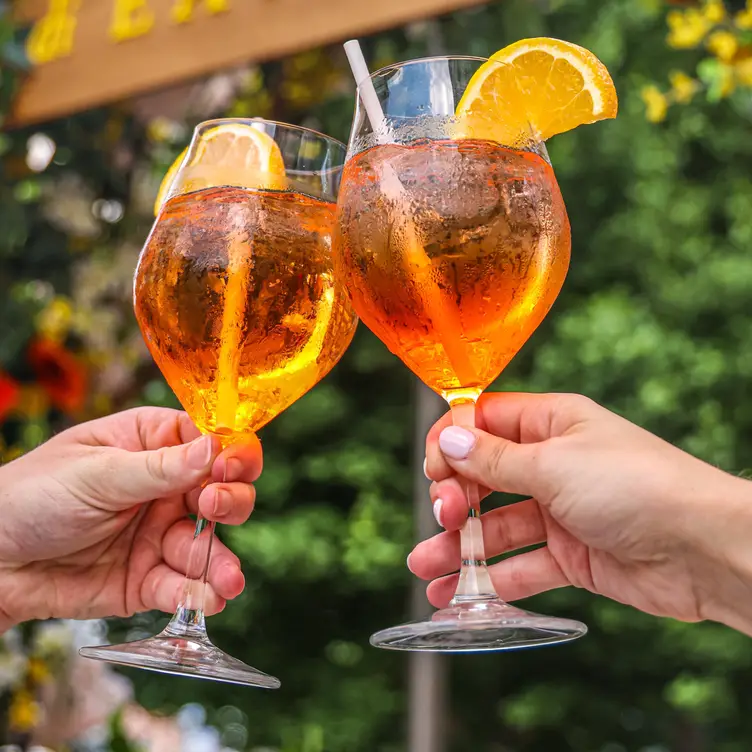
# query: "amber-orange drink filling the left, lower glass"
[236,299]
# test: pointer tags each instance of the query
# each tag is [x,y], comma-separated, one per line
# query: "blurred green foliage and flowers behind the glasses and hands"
[655,321]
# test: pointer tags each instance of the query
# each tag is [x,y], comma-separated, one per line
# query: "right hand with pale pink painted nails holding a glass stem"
[622,512]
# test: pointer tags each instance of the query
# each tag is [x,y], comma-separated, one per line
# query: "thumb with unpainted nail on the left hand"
[137,477]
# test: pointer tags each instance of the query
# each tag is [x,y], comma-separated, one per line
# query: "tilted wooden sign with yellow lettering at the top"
[91,52]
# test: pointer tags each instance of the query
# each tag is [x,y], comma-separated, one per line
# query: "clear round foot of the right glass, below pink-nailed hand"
[479,626]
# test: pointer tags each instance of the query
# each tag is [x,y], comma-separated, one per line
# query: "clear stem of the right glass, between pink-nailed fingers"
[475,582]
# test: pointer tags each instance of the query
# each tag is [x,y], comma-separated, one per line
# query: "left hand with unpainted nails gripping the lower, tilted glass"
[95,522]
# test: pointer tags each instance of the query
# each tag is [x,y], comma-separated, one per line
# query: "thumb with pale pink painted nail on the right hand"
[491,461]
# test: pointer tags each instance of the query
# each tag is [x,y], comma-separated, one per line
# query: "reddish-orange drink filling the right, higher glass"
[452,253]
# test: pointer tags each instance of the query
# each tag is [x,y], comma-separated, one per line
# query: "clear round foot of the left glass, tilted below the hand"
[182,655]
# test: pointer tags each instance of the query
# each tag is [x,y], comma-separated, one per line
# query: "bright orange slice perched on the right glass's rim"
[534,89]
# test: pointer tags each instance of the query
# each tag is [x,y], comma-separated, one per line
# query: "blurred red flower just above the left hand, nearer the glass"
[59,373]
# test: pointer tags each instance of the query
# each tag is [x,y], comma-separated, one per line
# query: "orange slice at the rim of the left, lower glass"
[231,154]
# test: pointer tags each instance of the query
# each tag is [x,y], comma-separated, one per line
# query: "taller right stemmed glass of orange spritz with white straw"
[452,251]
